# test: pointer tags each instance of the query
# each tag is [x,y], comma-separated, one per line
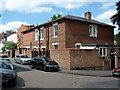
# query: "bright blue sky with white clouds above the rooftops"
[29,12]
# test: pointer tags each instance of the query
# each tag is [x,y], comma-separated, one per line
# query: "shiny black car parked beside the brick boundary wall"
[44,64]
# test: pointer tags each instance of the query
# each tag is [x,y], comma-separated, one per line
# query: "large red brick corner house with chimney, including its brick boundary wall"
[73,42]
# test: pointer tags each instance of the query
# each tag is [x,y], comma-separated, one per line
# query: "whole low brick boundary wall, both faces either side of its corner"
[76,58]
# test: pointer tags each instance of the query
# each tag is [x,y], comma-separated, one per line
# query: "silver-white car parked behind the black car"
[22,59]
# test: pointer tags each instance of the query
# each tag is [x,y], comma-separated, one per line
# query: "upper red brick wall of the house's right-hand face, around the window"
[78,32]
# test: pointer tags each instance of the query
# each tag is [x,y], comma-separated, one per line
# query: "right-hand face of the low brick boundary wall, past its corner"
[85,58]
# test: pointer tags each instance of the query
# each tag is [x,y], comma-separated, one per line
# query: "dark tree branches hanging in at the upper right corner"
[116,18]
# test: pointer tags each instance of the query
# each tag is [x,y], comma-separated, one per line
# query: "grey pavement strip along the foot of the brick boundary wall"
[99,73]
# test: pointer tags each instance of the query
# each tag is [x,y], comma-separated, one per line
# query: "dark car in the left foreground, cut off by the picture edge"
[7,74]
